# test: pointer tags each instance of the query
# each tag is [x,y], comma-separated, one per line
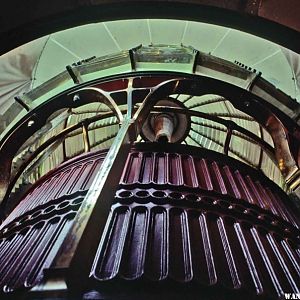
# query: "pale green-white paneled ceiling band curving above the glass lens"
[36,62]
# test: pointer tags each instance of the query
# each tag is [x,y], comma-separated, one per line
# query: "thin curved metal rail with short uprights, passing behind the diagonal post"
[83,127]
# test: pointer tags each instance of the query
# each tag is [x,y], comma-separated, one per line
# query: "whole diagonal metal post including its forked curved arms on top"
[72,264]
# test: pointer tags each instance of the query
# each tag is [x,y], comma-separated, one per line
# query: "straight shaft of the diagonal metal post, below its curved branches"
[77,251]
